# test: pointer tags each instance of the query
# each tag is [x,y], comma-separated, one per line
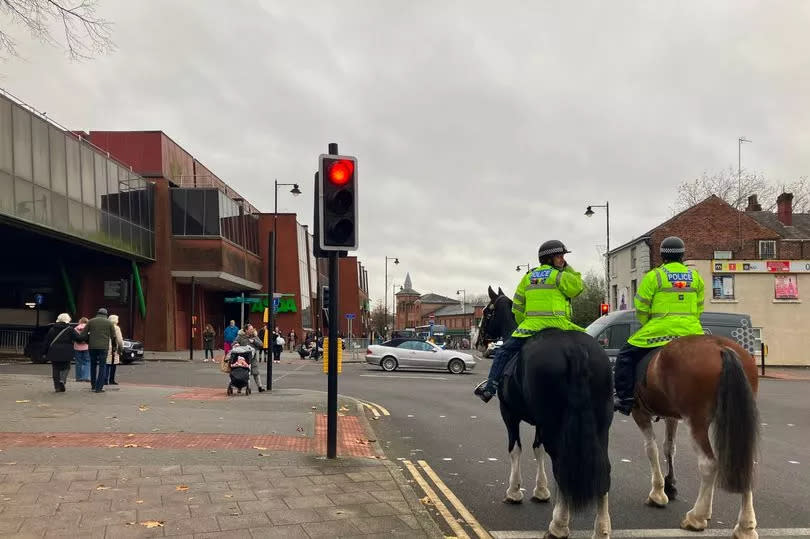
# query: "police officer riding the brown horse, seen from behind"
[668,305]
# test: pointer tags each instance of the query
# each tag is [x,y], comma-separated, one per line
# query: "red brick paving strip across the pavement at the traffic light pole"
[352,440]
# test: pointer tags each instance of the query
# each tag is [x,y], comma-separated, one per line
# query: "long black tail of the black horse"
[579,454]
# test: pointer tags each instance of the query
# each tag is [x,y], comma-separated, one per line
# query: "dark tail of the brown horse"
[736,426]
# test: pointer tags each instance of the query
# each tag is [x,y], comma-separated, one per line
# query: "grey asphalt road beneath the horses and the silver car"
[435,418]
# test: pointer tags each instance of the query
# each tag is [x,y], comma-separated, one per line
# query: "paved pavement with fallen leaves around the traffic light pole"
[152,460]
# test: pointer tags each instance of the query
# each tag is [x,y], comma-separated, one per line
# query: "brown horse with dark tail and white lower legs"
[703,379]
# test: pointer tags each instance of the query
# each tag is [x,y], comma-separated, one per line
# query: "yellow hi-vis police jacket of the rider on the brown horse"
[668,305]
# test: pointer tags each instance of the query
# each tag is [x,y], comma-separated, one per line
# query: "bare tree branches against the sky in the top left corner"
[84,34]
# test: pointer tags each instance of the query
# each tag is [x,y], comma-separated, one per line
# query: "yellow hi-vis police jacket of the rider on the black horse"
[542,300]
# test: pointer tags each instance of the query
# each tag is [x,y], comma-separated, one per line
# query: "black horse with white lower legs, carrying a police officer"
[563,385]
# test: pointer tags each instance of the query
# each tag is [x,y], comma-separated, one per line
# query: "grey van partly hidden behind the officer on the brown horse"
[613,330]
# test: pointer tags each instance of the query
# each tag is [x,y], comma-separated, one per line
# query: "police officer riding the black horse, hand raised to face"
[542,300]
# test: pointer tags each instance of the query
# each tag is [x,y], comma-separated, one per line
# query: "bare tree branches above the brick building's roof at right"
[724,184]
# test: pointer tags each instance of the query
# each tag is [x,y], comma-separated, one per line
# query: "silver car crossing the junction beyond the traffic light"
[417,354]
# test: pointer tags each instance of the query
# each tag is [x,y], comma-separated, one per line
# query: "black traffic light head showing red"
[337,204]
